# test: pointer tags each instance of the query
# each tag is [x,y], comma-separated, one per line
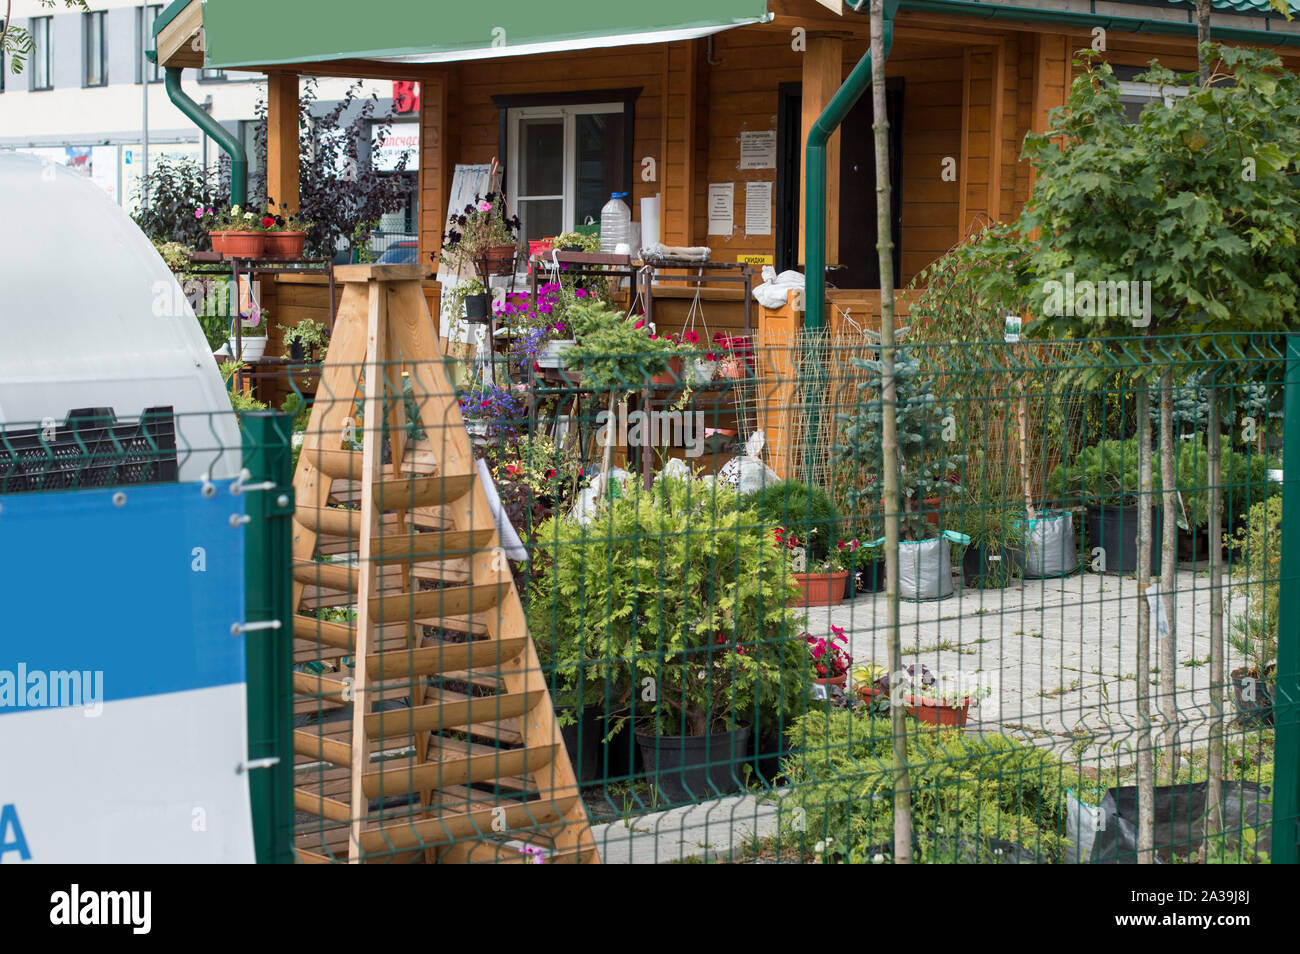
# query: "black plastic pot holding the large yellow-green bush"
[692,769]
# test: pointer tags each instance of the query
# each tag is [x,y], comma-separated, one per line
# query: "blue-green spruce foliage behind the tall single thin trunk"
[928,440]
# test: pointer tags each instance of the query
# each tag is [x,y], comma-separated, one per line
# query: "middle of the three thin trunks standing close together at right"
[1169,576]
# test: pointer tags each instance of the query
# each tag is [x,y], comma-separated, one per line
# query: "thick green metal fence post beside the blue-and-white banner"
[268,578]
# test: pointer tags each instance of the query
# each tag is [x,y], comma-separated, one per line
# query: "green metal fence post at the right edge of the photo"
[1286,708]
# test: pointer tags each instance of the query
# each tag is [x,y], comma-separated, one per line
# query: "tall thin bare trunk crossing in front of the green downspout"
[890,435]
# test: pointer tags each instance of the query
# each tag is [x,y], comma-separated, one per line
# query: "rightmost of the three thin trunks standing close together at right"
[1215,783]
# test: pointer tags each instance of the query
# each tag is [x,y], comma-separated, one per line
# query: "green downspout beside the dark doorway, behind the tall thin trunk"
[814,201]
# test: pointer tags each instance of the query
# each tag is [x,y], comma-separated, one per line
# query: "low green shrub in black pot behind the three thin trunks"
[1107,472]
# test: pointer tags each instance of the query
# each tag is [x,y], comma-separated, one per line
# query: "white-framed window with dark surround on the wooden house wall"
[564,163]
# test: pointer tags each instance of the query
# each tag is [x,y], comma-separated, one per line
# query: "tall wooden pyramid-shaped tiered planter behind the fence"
[424,730]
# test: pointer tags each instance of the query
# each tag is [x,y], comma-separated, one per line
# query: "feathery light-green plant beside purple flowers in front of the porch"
[616,353]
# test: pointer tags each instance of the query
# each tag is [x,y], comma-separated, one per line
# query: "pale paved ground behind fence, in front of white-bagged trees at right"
[1059,656]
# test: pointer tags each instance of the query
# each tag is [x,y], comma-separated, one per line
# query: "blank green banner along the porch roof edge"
[261,33]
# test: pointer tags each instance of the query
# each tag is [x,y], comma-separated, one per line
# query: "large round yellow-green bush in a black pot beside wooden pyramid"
[679,587]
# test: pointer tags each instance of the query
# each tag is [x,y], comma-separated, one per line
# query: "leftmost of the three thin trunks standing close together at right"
[1146,774]
